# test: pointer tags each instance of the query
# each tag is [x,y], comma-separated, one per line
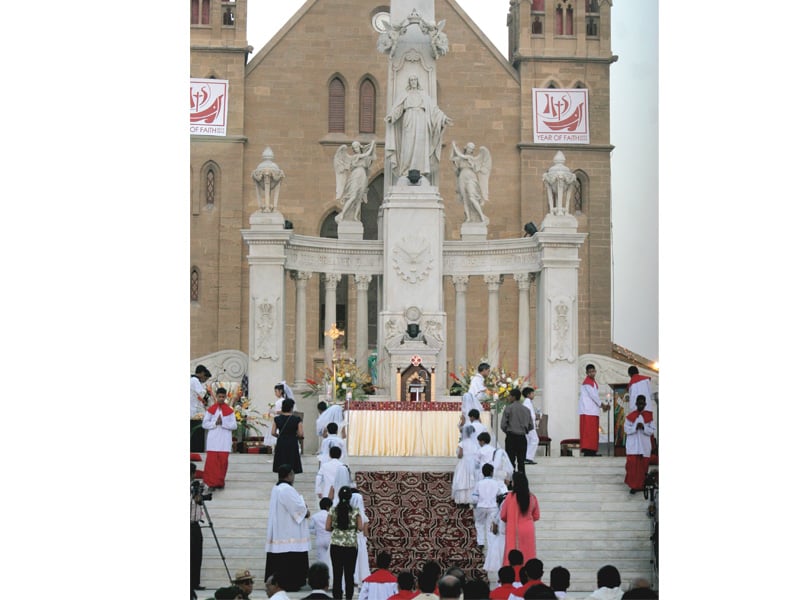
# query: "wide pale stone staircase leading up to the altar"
[588,517]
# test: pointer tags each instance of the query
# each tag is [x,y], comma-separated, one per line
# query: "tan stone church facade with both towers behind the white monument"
[320,83]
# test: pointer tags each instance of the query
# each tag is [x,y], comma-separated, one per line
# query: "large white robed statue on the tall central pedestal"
[415,126]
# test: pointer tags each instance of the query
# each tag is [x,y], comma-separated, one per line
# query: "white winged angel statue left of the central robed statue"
[352,179]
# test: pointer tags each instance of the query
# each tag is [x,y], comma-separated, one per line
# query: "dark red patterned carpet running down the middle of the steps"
[412,516]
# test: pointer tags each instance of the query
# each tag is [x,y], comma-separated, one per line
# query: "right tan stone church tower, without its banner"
[566,45]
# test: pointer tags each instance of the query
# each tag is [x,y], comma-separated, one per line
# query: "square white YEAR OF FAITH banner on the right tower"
[560,116]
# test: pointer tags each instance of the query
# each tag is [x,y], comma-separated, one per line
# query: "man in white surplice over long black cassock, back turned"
[287,532]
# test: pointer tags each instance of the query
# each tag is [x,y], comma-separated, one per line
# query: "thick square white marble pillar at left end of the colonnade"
[266,239]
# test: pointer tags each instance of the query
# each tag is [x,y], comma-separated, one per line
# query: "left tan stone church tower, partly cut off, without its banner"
[219,51]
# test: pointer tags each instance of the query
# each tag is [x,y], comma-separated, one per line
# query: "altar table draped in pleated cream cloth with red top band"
[391,428]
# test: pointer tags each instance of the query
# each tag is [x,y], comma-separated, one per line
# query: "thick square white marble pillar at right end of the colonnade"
[557,368]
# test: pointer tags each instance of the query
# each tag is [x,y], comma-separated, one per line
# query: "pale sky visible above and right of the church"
[634,162]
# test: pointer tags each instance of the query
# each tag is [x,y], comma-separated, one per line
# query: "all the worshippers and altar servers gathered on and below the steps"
[490,480]
